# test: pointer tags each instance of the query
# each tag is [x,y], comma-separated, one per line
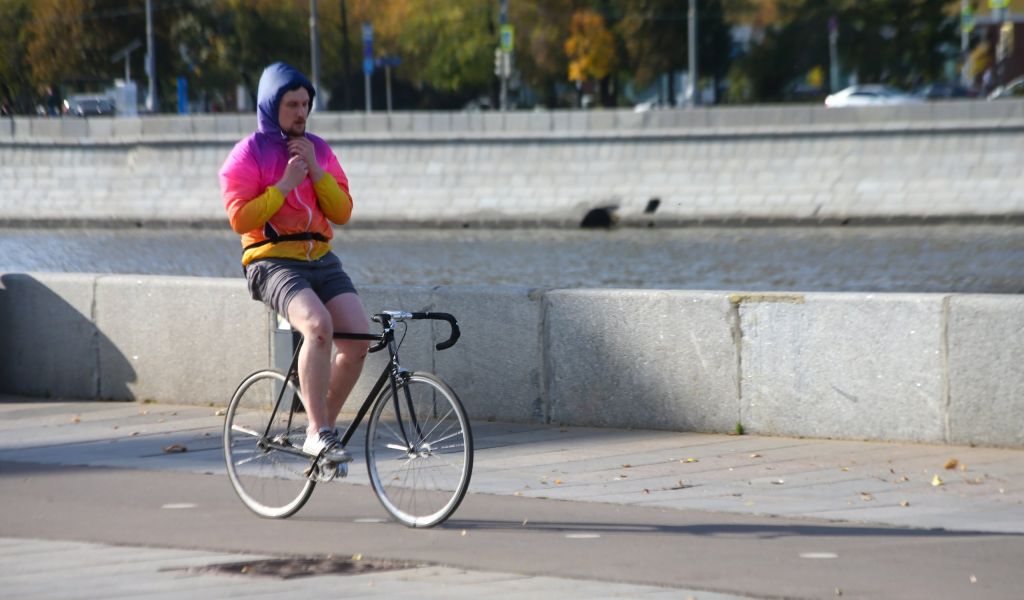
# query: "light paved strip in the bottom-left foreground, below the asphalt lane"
[92,571]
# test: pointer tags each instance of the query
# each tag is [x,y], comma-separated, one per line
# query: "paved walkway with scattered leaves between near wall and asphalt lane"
[913,486]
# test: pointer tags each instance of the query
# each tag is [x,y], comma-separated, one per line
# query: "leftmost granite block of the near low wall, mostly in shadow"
[49,346]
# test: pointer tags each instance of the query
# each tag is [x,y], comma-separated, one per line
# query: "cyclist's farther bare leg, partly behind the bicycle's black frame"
[350,317]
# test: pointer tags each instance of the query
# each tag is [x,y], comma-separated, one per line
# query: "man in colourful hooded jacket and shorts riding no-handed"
[282,189]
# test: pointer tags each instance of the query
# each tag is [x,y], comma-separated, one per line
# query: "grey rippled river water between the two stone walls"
[985,259]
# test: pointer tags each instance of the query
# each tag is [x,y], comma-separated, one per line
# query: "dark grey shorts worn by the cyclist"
[276,281]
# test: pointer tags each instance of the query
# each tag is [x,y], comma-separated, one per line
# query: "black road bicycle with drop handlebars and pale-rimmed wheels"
[419,448]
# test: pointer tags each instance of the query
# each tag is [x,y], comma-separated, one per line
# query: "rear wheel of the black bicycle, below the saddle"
[271,482]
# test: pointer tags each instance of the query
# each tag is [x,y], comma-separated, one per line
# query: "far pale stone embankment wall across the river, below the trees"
[944,160]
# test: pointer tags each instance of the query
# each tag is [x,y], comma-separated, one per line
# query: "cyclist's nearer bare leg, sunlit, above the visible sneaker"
[309,316]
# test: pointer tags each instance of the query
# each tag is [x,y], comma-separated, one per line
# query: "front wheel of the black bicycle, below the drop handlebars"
[419,451]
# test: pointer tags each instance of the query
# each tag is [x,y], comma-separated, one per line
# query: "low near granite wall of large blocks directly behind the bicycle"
[927,368]
